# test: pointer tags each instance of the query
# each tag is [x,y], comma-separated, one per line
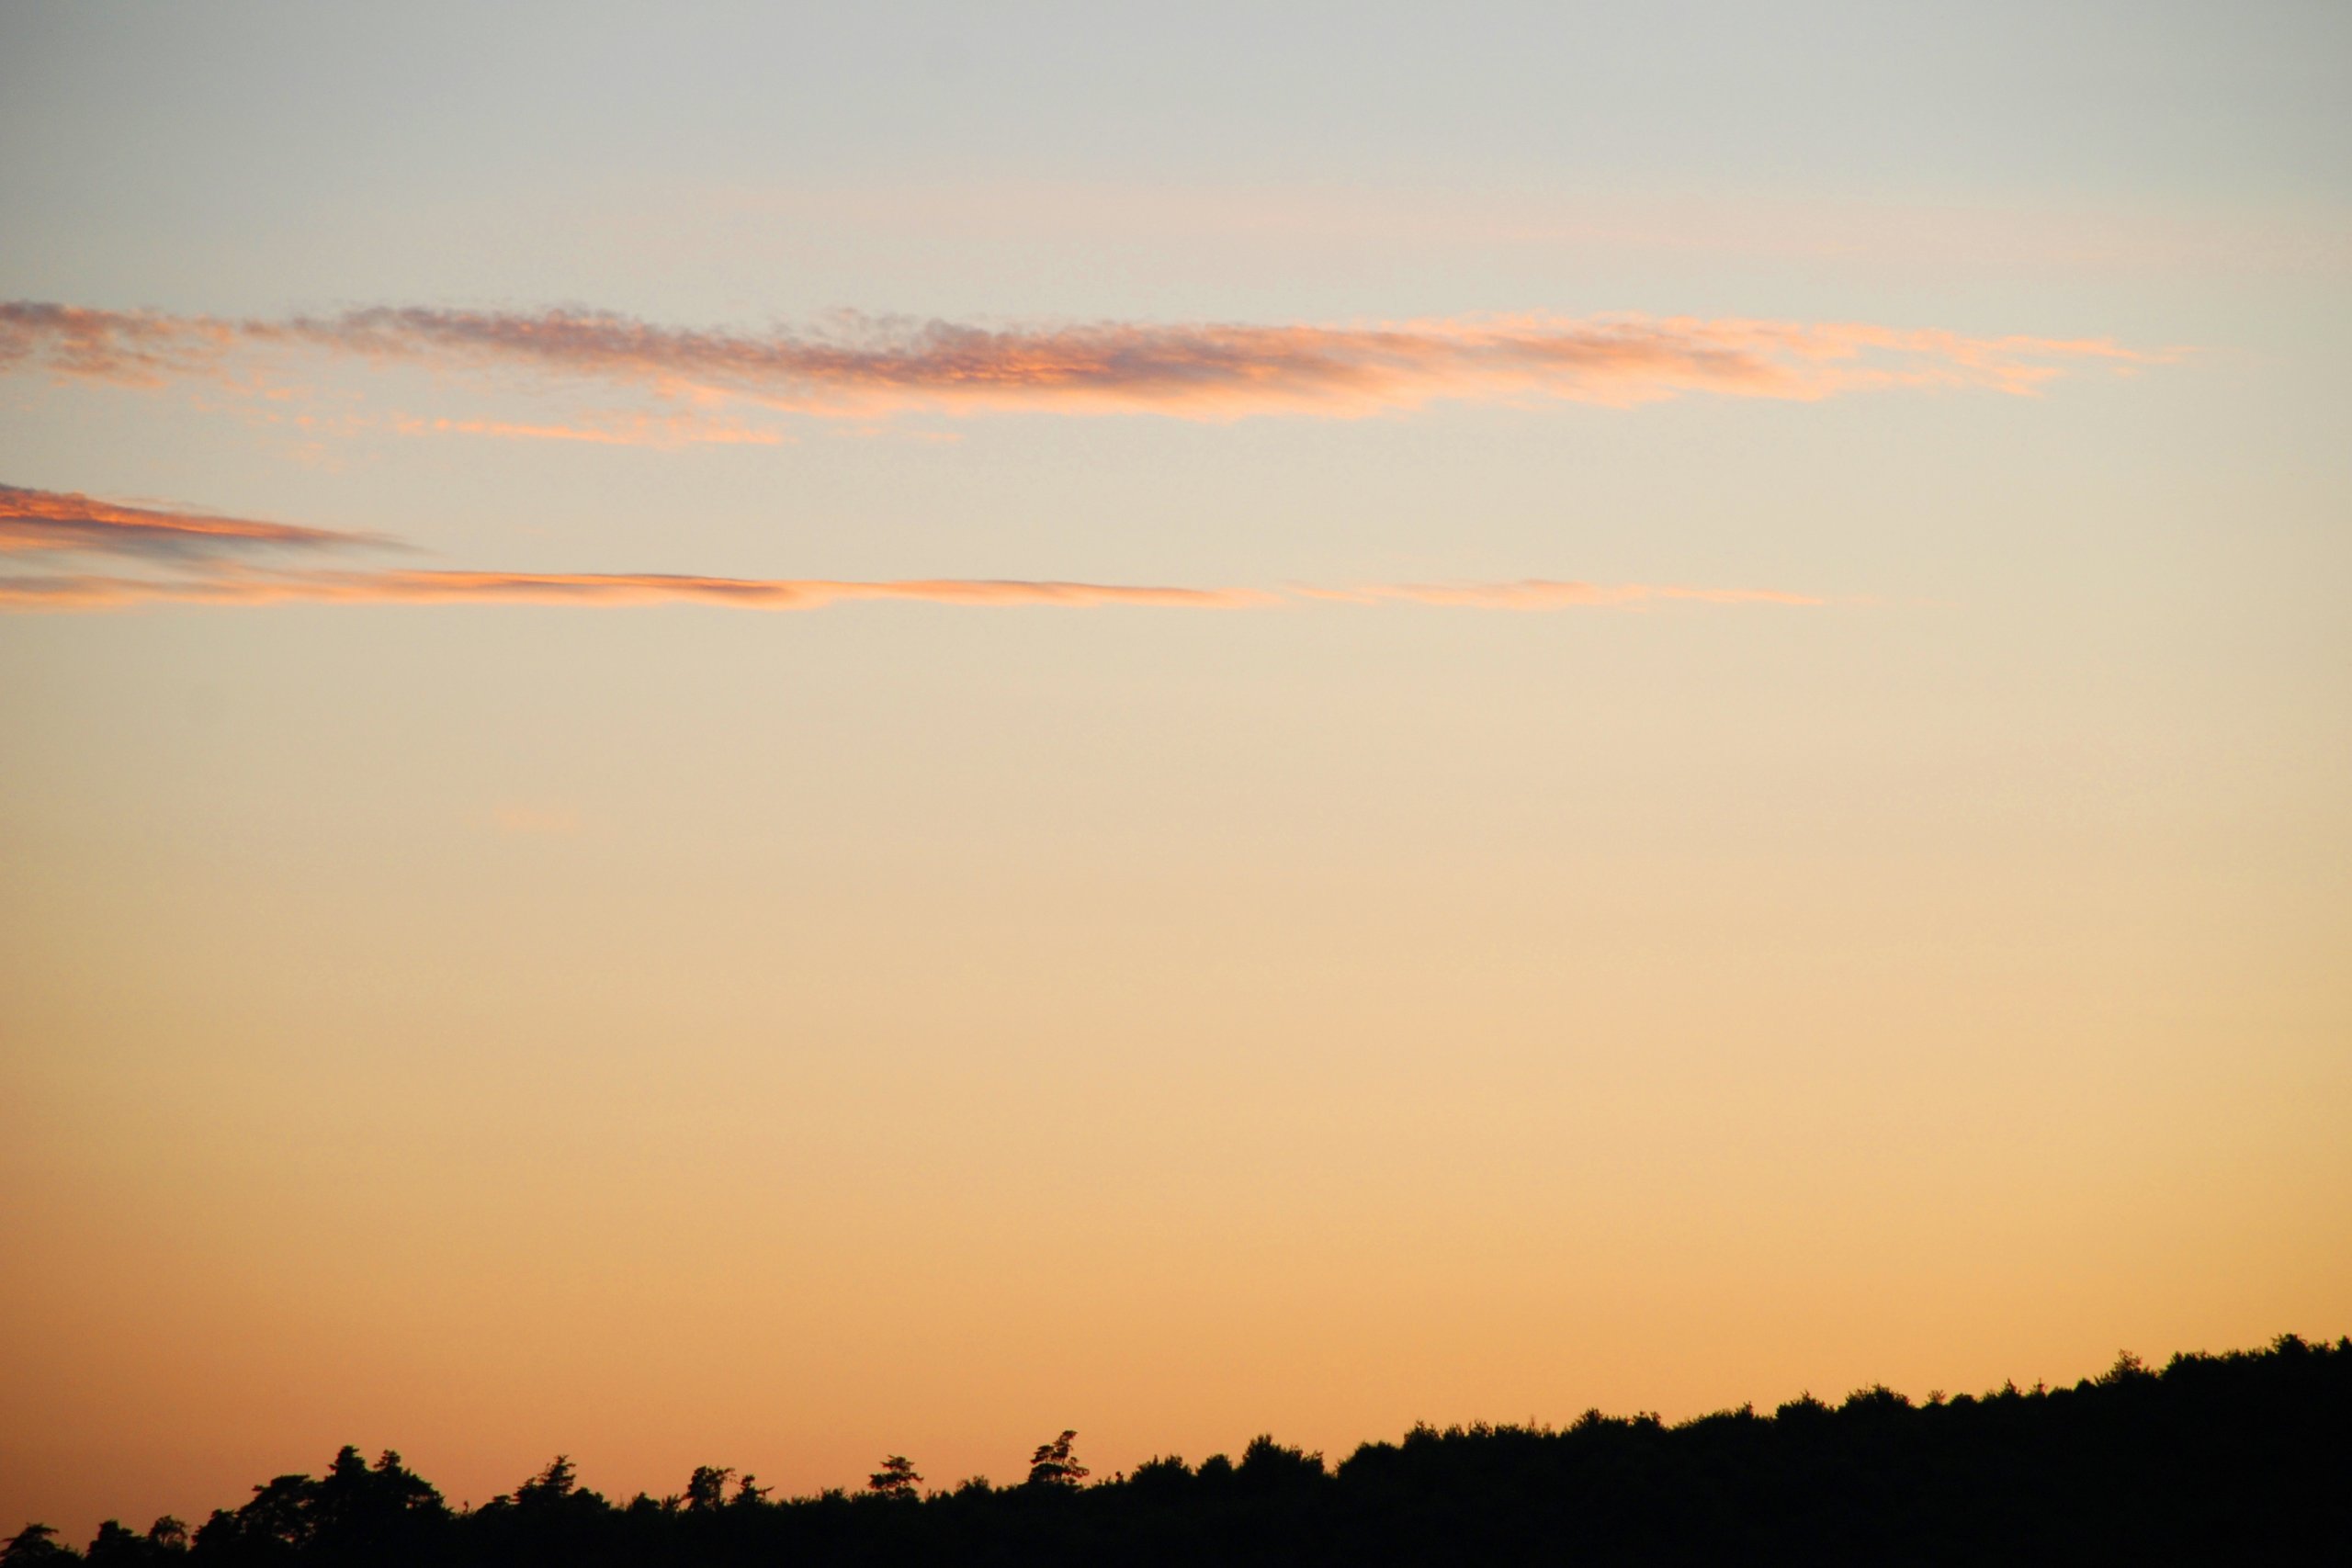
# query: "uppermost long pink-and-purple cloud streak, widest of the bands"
[862,368]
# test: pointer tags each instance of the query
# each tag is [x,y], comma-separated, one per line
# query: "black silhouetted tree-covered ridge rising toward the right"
[2240,1459]
